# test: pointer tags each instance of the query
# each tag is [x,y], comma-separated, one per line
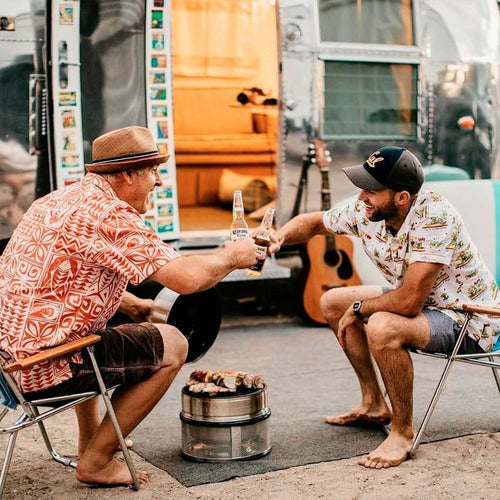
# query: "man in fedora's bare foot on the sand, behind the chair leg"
[114,473]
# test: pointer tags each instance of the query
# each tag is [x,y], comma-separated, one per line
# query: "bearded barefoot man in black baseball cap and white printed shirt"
[419,243]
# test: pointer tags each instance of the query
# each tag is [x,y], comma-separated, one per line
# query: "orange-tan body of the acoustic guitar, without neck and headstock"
[323,271]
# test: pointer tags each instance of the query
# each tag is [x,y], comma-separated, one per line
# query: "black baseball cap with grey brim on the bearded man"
[388,167]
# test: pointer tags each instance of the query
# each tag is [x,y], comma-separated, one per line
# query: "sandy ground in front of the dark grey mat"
[465,467]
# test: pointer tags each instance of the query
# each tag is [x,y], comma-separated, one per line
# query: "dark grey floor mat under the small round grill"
[308,378]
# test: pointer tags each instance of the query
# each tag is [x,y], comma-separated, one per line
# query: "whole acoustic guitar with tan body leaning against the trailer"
[327,260]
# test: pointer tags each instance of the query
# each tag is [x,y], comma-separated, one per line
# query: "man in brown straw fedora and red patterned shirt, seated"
[63,275]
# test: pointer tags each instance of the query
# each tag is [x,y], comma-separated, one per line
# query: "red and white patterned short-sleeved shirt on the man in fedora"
[65,270]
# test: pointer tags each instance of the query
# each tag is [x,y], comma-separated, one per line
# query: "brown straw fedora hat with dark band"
[129,147]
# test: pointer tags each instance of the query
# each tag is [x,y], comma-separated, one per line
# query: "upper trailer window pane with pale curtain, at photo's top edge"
[366,21]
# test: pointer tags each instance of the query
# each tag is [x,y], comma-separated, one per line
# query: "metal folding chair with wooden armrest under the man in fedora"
[11,397]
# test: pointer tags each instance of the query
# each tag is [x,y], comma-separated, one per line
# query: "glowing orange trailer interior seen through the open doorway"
[221,49]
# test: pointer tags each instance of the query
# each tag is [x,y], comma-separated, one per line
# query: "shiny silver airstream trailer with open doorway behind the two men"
[236,91]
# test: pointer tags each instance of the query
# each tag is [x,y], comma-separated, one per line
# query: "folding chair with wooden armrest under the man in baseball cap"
[490,359]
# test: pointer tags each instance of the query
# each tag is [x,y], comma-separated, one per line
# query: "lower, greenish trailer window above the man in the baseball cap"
[375,100]
